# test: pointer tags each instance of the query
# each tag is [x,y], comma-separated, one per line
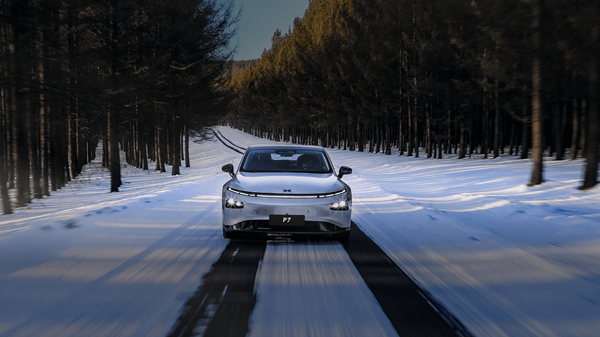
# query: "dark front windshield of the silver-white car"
[286,160]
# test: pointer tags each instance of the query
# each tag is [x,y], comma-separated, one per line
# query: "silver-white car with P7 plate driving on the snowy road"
[286,189]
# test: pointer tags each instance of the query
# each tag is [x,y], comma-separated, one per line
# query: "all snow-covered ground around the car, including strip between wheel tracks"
[504,258]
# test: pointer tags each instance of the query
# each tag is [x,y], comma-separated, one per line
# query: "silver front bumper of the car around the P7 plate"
[254,216]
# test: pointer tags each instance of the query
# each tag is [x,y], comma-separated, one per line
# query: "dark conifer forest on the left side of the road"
[133,75]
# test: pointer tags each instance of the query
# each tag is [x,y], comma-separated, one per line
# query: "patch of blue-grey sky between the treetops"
[259,20]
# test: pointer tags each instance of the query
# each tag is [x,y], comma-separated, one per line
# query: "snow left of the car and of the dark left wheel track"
[86,262]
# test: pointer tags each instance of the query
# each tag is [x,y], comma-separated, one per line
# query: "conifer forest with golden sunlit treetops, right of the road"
[432,77]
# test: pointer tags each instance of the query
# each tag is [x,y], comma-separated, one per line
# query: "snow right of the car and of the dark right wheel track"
[504,258]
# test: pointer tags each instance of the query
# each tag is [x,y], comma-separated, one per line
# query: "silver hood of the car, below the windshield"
[298,183]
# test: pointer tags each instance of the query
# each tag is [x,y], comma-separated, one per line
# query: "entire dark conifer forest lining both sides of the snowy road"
[423,77]
